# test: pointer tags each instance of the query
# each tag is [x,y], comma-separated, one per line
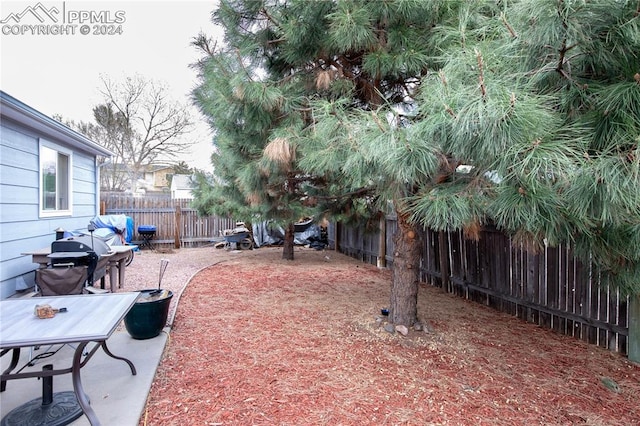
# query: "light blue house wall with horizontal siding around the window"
[21,227]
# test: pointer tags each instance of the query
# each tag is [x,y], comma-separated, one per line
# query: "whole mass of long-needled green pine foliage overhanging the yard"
[520,114]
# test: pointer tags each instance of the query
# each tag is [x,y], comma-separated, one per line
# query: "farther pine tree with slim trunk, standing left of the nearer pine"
[256,108]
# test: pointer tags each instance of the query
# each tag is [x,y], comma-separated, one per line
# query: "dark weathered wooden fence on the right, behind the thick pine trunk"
[550,288]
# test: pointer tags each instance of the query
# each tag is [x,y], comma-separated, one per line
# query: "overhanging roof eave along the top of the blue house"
[13,109]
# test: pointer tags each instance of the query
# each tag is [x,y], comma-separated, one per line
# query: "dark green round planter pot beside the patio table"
[148,316]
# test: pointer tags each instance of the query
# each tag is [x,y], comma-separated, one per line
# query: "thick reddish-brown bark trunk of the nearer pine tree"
[405,274]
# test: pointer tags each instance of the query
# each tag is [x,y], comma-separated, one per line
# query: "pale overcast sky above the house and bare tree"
[60,73]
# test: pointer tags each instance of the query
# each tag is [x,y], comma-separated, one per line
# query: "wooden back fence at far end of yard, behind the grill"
[175,221]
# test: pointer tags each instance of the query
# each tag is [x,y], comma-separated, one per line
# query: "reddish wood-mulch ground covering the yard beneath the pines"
[262,341]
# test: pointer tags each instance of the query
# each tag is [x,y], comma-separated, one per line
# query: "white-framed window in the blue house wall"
[55,180]
